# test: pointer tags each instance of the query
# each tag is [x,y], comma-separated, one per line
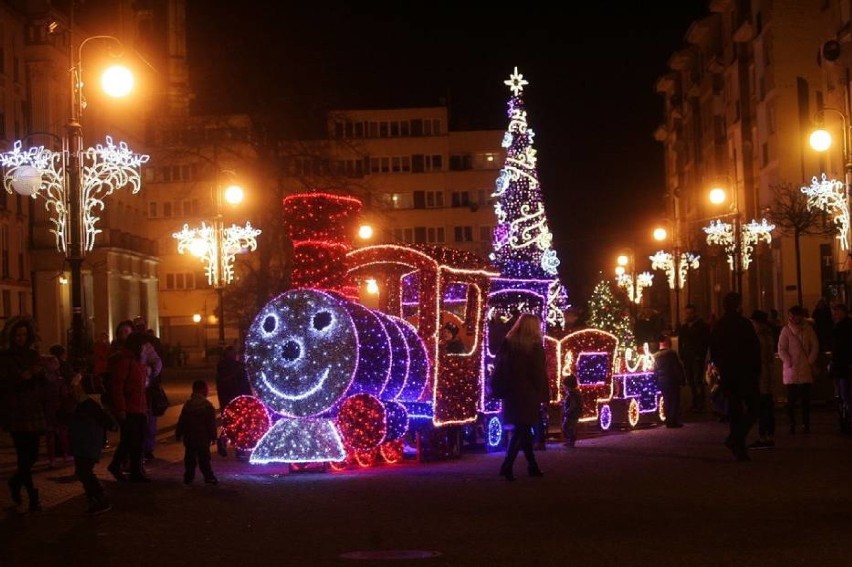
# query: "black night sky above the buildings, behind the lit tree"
[591,98]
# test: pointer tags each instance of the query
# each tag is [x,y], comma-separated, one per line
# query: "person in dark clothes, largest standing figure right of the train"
[735,350]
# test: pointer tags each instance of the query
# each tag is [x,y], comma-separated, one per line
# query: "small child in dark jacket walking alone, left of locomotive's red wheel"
[196,427]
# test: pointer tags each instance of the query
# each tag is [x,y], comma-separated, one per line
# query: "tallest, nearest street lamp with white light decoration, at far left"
[75,181]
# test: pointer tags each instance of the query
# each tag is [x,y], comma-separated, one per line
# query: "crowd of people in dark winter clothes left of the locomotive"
[70,406]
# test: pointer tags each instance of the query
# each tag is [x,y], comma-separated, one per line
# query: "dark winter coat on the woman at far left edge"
[22,400]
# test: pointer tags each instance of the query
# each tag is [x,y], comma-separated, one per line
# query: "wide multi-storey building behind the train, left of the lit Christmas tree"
[420,182]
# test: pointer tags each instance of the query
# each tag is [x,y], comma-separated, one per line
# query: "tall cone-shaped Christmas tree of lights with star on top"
[522,241]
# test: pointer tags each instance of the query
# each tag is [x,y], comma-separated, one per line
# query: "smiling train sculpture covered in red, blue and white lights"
[340,383]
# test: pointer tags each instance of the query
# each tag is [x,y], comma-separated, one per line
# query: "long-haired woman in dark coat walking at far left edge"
[22,413]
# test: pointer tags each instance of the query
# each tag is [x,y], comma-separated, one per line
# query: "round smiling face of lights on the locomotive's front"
[301,352]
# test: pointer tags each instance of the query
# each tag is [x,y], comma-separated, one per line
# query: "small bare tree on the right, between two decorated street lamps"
[791,215]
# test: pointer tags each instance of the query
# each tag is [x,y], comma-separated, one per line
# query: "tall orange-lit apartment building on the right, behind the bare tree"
[738,104]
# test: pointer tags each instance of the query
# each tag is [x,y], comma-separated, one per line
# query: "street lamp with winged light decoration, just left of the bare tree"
[738,239]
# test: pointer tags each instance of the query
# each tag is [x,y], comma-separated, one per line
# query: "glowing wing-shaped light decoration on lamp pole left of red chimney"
[217,249]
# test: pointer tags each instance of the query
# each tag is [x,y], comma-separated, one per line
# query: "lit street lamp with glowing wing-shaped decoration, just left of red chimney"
[217,246]
